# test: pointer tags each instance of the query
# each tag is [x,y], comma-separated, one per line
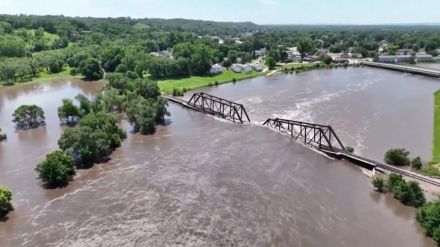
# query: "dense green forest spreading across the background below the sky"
[91,47]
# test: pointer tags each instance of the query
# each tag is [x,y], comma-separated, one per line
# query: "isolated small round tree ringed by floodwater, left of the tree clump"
[28,116]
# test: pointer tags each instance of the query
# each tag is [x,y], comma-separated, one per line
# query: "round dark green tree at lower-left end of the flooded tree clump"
[57,169]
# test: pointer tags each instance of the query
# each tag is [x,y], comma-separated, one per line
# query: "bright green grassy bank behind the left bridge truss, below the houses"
[195,82]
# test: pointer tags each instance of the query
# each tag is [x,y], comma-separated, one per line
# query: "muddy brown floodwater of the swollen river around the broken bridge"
[200,181]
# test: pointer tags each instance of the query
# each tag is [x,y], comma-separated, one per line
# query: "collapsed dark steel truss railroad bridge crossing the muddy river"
[317,136]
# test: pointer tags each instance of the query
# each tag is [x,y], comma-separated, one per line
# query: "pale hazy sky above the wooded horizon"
[258,11]
